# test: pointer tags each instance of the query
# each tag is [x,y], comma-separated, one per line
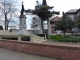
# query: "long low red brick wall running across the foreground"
[54,51]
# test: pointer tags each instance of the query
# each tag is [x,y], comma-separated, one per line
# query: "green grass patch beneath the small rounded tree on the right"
[59,38]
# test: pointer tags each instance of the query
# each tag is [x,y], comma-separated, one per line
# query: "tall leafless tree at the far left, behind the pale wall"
[7,11]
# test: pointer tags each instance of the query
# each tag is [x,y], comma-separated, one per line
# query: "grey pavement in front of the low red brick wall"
[6,54]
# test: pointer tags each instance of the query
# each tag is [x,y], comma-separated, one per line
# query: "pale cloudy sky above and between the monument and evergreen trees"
[59,5]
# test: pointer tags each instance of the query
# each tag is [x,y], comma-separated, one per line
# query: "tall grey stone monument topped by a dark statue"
[22,24]
